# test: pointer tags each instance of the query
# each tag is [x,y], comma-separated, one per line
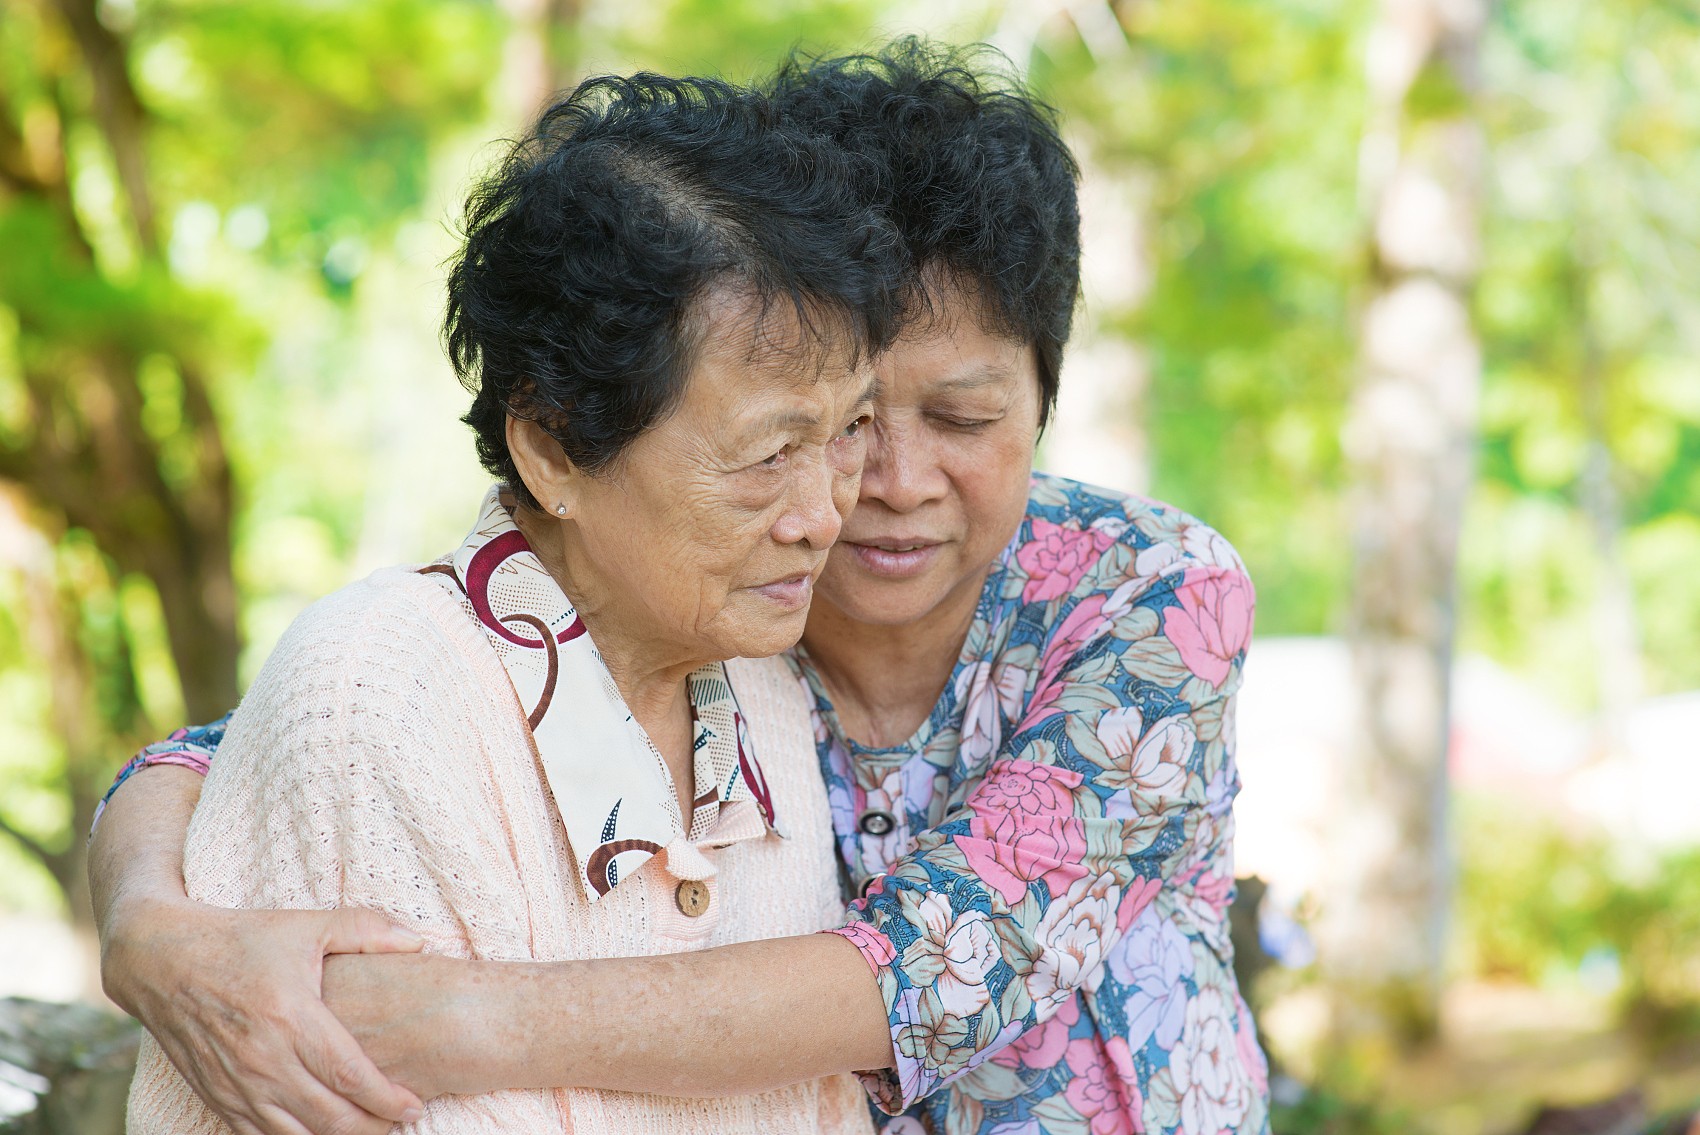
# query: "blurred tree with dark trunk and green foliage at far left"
[113,448]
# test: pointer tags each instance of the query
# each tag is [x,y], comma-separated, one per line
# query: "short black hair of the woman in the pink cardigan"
[589,249]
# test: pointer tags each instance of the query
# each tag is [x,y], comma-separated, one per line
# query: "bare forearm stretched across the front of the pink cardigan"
[739,1019]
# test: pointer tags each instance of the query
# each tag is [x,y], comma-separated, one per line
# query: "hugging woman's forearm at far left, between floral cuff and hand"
[137,857]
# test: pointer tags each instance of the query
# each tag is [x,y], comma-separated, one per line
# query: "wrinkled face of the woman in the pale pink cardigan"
[705,539]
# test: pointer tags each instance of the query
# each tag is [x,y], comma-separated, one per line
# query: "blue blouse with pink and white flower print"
[1046,866]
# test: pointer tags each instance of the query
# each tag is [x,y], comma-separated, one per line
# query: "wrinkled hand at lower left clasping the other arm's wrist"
[235,1002]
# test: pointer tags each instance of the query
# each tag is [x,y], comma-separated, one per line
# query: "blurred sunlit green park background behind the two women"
[1403,296]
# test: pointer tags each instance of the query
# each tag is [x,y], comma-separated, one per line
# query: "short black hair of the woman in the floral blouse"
[978,178]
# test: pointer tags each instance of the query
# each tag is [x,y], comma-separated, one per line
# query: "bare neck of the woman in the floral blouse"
[885,680]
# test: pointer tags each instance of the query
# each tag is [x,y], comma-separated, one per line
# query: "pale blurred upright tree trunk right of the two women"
[1410,443]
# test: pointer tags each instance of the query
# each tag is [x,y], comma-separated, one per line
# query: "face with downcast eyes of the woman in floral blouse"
[948,470]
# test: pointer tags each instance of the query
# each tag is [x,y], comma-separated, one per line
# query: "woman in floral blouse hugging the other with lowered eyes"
[1024,708]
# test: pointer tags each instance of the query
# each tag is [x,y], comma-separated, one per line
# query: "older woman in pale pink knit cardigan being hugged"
[531,750]
